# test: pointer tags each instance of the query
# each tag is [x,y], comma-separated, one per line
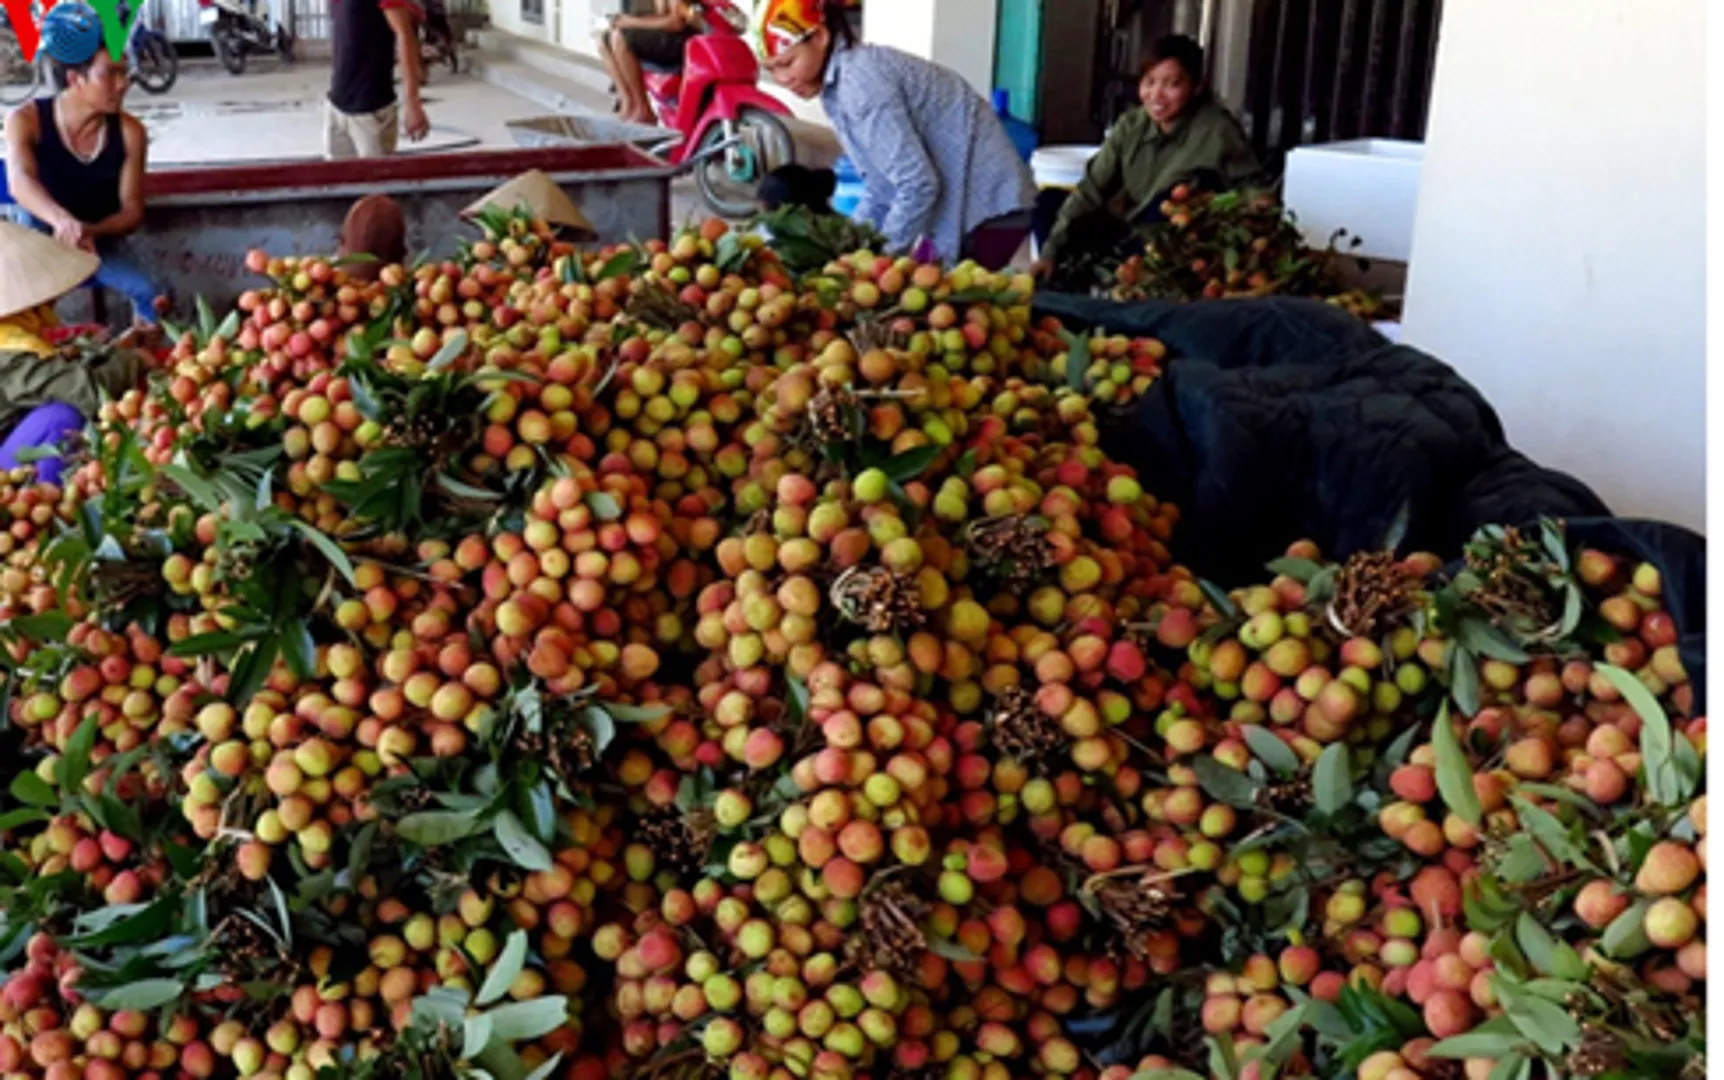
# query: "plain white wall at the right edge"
[1559,253]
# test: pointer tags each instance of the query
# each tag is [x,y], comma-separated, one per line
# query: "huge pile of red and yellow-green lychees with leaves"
[646,663]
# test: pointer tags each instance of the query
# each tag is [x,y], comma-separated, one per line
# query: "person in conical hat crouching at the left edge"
[42,396]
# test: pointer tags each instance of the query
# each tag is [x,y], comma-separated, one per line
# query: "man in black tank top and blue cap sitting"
[75,161]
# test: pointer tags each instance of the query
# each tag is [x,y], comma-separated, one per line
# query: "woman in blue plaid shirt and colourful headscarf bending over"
[937,165]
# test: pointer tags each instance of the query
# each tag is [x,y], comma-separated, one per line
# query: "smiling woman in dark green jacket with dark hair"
[1182,135]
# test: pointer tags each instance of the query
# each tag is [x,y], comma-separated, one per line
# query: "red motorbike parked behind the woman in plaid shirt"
[734,134]
